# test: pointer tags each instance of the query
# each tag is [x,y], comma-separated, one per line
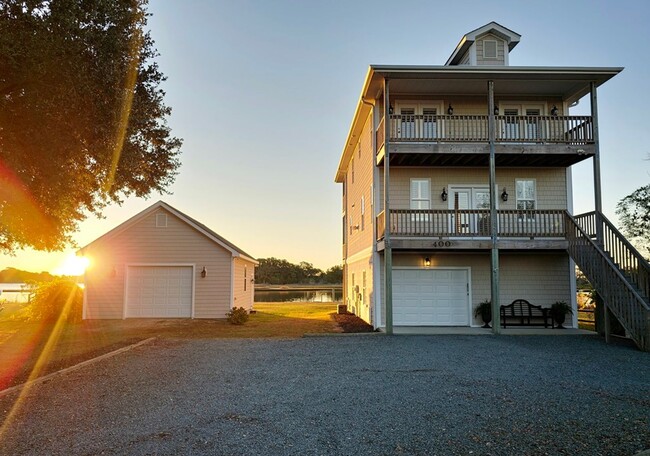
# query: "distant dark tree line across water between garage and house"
[275,271]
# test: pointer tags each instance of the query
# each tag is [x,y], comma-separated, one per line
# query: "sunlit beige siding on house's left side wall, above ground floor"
[361,238]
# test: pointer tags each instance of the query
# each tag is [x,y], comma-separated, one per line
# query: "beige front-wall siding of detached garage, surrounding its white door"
[144,243]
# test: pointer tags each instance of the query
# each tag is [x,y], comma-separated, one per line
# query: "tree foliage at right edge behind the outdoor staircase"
[634,216]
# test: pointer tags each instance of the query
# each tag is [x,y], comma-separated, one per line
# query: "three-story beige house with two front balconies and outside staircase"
[457,189]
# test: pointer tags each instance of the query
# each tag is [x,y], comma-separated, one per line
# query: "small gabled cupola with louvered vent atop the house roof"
[487,45]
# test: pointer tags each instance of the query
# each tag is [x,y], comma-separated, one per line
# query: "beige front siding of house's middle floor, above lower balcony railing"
[551,184]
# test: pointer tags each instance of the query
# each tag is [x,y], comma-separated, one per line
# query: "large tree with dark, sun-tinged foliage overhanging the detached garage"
[82,117]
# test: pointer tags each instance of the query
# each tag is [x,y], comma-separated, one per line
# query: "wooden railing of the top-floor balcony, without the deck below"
[474,128]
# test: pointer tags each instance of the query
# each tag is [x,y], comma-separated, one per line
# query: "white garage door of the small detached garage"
[159,292]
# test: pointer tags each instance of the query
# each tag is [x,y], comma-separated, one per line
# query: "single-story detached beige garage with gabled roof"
[162,263]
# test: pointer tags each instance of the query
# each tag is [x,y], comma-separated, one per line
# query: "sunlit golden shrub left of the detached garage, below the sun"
[59,298]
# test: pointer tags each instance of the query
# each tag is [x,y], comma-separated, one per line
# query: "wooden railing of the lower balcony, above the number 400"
[472,223]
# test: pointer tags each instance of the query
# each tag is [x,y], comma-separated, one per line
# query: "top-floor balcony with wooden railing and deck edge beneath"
[462,140]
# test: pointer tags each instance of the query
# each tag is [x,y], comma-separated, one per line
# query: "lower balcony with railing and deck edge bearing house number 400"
[470,229]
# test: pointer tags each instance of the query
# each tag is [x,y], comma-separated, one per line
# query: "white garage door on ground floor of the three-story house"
[430,297]
